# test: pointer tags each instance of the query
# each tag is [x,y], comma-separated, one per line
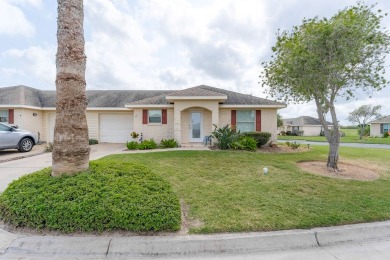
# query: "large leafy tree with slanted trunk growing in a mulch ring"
[324,59]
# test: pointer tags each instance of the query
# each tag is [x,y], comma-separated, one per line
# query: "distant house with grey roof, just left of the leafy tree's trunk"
[309,125]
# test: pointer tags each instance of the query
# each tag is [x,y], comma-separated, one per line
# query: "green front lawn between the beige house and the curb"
[226,191]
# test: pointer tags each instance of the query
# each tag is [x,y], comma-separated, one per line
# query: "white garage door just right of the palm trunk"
[115,128]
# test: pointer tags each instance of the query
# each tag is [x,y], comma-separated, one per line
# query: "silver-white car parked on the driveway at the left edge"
[13,138]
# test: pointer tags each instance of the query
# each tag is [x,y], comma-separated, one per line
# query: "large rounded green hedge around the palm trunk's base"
[110,196]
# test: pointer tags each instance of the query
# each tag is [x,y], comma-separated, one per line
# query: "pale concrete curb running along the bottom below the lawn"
[192,244]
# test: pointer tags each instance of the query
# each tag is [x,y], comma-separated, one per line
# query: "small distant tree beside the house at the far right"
[362,115]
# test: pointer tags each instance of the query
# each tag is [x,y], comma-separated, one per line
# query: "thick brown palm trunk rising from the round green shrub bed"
[71,146]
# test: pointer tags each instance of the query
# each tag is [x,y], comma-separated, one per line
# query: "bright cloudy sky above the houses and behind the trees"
[170,44]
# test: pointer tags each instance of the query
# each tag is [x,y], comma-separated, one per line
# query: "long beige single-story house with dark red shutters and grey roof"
[186,115]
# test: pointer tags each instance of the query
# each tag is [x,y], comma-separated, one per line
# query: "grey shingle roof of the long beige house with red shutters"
[27,96]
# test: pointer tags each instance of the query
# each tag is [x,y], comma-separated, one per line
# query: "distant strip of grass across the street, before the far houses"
[351,136]
